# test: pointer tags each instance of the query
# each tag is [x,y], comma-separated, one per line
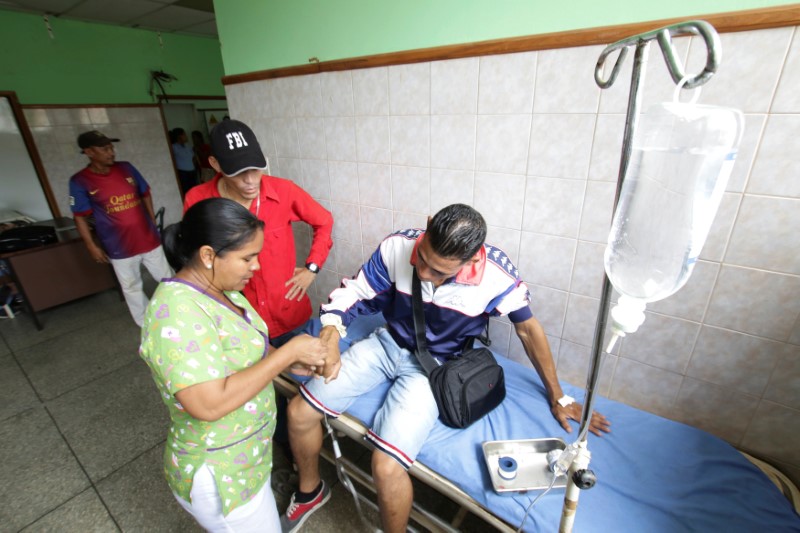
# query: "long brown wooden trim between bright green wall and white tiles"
[753,19]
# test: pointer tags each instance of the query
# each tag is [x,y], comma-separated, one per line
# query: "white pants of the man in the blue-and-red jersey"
[129,274]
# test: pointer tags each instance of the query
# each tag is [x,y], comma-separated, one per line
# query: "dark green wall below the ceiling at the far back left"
[99,64]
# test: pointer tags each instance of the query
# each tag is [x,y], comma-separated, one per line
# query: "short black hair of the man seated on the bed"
[457,231]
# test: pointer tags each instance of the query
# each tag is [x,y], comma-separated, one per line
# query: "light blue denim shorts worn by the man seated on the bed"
[408,413]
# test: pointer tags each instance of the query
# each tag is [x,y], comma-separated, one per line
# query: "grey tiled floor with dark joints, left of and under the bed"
[83,432]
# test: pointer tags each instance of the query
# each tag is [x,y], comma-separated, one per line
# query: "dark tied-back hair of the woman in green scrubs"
[222,224]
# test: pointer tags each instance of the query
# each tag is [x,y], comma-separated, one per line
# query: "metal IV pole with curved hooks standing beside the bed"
[579,476]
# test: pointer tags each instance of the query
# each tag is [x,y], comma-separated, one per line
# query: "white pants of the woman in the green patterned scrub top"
[259,515]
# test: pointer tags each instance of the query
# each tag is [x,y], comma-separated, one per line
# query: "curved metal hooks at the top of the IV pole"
[664,37]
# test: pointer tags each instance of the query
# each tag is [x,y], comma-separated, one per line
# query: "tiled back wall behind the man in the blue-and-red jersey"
[142,143]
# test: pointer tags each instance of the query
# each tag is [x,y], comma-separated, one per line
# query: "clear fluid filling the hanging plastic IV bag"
[654,246]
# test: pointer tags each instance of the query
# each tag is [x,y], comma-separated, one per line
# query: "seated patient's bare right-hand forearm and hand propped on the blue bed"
[531,333]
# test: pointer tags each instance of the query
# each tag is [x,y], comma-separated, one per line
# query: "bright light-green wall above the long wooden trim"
[266,34]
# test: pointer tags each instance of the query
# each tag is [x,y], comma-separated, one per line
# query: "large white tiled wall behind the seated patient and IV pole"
[534,144]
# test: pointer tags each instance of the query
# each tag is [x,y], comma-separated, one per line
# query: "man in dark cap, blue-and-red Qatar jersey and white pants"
[118,198]
